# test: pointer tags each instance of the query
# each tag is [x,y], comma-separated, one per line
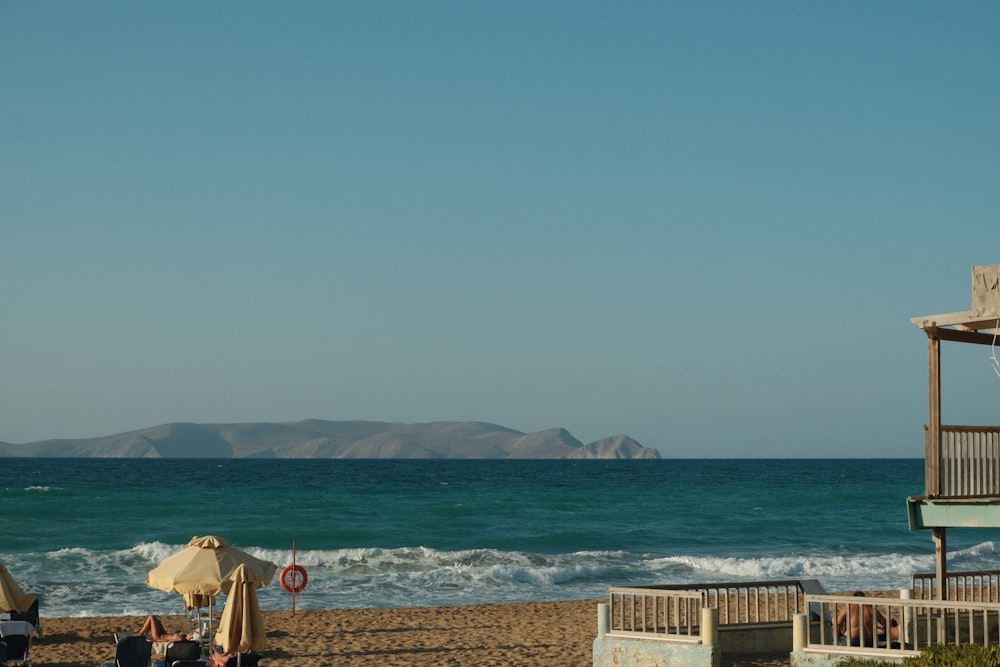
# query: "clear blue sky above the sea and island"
[702,224]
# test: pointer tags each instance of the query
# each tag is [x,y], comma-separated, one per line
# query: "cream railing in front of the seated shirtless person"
[910,625]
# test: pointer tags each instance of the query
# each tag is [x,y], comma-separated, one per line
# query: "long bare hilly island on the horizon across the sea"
[320,439]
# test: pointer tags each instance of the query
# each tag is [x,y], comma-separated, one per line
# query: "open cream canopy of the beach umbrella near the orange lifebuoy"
[206,566]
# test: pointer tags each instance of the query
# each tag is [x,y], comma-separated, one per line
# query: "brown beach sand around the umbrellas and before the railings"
[553,634]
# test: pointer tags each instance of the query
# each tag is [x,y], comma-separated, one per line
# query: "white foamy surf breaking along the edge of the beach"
[418,575]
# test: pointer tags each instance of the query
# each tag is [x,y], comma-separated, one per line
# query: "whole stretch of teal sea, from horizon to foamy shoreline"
[83,533]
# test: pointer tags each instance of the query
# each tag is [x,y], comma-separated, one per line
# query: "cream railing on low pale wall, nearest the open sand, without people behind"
[673,611]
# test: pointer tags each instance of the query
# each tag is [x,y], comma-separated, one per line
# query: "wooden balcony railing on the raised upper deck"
[964,464]
